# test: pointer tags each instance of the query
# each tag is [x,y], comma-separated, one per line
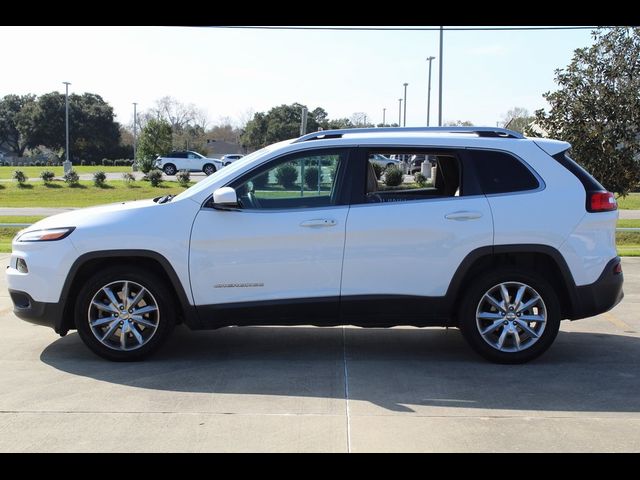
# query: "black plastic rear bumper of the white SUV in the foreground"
[600,296]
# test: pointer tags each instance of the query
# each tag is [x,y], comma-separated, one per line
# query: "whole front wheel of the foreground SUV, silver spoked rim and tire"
[124,313]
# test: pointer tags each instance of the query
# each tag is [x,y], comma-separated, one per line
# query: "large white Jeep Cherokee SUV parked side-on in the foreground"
[512,237]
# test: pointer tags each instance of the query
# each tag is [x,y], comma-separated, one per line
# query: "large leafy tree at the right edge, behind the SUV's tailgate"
[597,107]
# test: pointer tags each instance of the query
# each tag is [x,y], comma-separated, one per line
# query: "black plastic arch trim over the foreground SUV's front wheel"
[188,310]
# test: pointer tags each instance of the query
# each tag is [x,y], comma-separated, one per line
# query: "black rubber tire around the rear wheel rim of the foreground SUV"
[470,306]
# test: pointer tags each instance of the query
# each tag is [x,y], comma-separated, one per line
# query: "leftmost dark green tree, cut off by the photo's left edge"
[16,122]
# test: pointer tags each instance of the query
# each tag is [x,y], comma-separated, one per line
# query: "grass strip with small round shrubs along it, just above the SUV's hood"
[59,194]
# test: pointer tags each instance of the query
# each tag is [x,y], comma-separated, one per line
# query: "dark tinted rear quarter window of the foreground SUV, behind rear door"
[500,172]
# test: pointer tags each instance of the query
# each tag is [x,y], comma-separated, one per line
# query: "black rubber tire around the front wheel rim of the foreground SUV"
[164,321]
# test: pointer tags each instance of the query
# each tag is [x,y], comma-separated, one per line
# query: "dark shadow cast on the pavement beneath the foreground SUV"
[396,369]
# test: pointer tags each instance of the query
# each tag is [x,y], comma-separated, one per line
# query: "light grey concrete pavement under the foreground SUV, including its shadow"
[314,389]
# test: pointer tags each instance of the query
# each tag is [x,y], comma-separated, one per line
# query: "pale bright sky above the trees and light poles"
[231,73]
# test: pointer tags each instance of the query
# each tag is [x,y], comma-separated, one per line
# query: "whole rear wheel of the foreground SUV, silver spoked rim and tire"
[509,316]
